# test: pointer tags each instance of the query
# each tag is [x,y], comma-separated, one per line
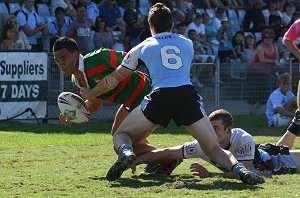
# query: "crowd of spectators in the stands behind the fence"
[128,19]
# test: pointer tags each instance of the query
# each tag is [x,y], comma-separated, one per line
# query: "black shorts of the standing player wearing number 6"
[182,104]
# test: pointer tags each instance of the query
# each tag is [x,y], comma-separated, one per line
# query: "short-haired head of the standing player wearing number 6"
[161,18]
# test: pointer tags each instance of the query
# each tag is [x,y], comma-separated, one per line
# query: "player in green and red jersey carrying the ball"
[87,71]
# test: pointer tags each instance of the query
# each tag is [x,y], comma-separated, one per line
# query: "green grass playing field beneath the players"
[72,161]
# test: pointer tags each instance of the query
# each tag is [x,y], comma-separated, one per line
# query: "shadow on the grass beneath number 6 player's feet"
[179,182]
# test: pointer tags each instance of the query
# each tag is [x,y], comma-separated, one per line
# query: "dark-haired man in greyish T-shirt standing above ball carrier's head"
[80,30]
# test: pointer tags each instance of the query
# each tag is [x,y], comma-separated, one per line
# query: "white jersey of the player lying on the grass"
[242,146]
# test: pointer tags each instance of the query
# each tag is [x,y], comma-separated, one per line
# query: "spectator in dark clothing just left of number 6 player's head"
[136,23]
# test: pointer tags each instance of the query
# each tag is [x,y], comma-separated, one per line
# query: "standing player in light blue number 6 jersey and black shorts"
[168,58]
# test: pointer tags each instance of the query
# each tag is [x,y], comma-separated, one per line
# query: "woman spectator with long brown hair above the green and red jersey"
[102,37]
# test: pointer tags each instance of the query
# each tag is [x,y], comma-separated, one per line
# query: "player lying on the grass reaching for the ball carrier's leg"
[265,158]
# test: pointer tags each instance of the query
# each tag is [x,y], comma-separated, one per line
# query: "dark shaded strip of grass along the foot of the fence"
[255,125]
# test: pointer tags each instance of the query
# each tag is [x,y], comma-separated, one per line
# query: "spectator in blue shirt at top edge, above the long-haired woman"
[112,14]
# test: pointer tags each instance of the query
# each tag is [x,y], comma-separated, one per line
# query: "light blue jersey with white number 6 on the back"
[168,58]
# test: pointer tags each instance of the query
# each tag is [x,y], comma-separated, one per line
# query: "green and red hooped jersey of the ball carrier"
[130,91]
